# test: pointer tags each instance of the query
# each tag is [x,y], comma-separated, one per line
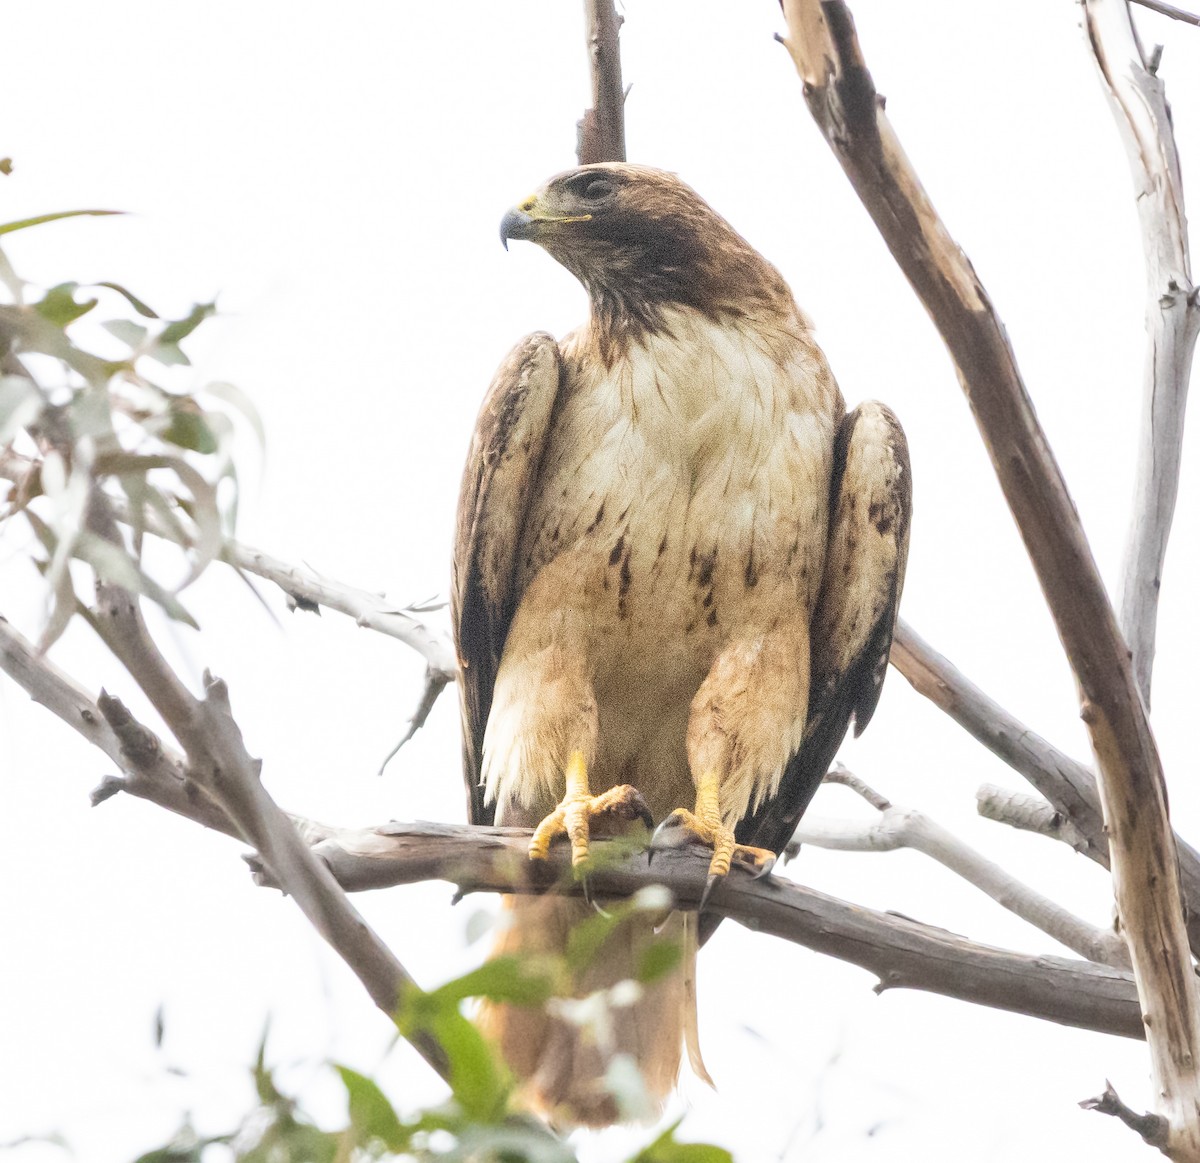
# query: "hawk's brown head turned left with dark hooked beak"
[641,241]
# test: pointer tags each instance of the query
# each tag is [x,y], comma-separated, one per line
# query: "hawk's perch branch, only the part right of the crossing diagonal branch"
[903,954]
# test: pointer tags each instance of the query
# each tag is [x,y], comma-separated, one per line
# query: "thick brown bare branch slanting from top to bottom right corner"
[842,98]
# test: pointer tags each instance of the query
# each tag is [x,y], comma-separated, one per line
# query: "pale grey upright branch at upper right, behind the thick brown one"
[1138,100]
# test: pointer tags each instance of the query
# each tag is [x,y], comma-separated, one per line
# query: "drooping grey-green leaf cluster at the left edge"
[91,434]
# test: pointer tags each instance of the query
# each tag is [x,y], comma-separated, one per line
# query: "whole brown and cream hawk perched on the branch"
[677,568]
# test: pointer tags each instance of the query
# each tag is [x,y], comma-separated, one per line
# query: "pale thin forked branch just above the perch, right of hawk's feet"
[901,828]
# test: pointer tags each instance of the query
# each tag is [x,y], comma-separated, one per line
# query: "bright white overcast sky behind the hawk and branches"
[339,181]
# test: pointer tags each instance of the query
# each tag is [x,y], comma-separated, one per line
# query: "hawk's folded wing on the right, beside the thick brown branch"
[869,509]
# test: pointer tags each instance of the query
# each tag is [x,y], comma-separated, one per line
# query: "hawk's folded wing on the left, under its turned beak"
[497,485]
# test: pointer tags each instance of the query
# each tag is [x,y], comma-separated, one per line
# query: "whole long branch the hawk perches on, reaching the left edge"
[909,955]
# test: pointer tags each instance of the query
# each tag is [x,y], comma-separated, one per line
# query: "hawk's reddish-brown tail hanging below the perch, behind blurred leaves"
[562,1054]
